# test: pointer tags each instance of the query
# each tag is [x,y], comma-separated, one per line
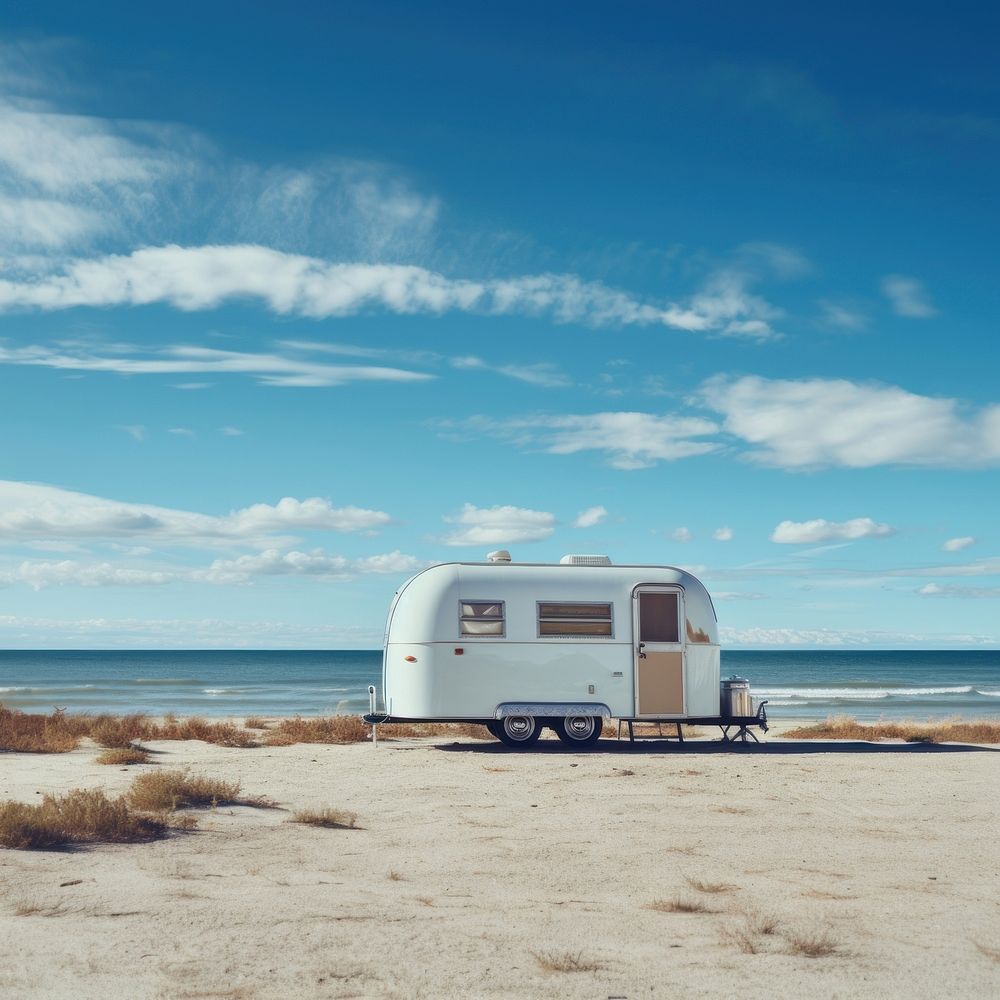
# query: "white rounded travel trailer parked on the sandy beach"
[523,646]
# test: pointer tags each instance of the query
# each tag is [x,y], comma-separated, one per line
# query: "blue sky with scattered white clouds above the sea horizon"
[296,299]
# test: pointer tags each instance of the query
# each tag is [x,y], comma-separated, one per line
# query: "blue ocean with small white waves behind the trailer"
[807,684]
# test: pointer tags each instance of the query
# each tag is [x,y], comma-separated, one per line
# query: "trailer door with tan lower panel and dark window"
[659,651]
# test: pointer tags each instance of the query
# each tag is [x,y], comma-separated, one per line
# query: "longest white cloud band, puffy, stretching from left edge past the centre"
[206,277]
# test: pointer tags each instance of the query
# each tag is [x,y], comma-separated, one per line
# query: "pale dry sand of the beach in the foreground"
[479,872]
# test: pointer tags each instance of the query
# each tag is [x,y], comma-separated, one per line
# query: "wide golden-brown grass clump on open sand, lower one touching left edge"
[74,818]
